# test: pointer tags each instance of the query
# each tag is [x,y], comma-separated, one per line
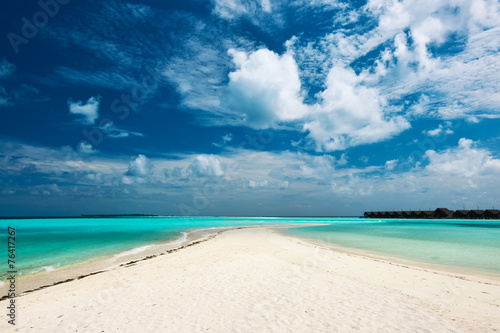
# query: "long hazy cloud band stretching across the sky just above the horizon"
[463,174]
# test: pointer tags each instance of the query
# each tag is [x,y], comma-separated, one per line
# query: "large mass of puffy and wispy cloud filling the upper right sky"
[352,86]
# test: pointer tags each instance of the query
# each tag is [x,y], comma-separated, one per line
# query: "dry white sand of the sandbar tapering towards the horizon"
[256,280]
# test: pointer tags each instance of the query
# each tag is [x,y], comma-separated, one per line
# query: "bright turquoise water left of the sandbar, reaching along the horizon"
[43,244]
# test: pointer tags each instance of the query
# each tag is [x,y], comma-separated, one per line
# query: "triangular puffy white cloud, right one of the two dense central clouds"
[351,114]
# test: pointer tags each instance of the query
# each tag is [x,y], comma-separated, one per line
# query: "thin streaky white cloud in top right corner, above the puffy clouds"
[414,57]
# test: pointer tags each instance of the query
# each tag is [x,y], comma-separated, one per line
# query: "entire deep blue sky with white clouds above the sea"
[241,107]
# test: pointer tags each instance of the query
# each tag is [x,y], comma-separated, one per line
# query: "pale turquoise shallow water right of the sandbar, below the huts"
[472,244]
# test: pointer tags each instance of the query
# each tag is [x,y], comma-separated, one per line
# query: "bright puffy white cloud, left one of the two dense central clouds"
[264,89]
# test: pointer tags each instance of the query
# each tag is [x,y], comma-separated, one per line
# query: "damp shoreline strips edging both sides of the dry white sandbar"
[47,278]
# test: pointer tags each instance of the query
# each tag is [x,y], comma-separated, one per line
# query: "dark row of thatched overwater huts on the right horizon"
[439,213]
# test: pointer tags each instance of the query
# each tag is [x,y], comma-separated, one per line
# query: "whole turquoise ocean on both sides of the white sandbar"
[45,244]
